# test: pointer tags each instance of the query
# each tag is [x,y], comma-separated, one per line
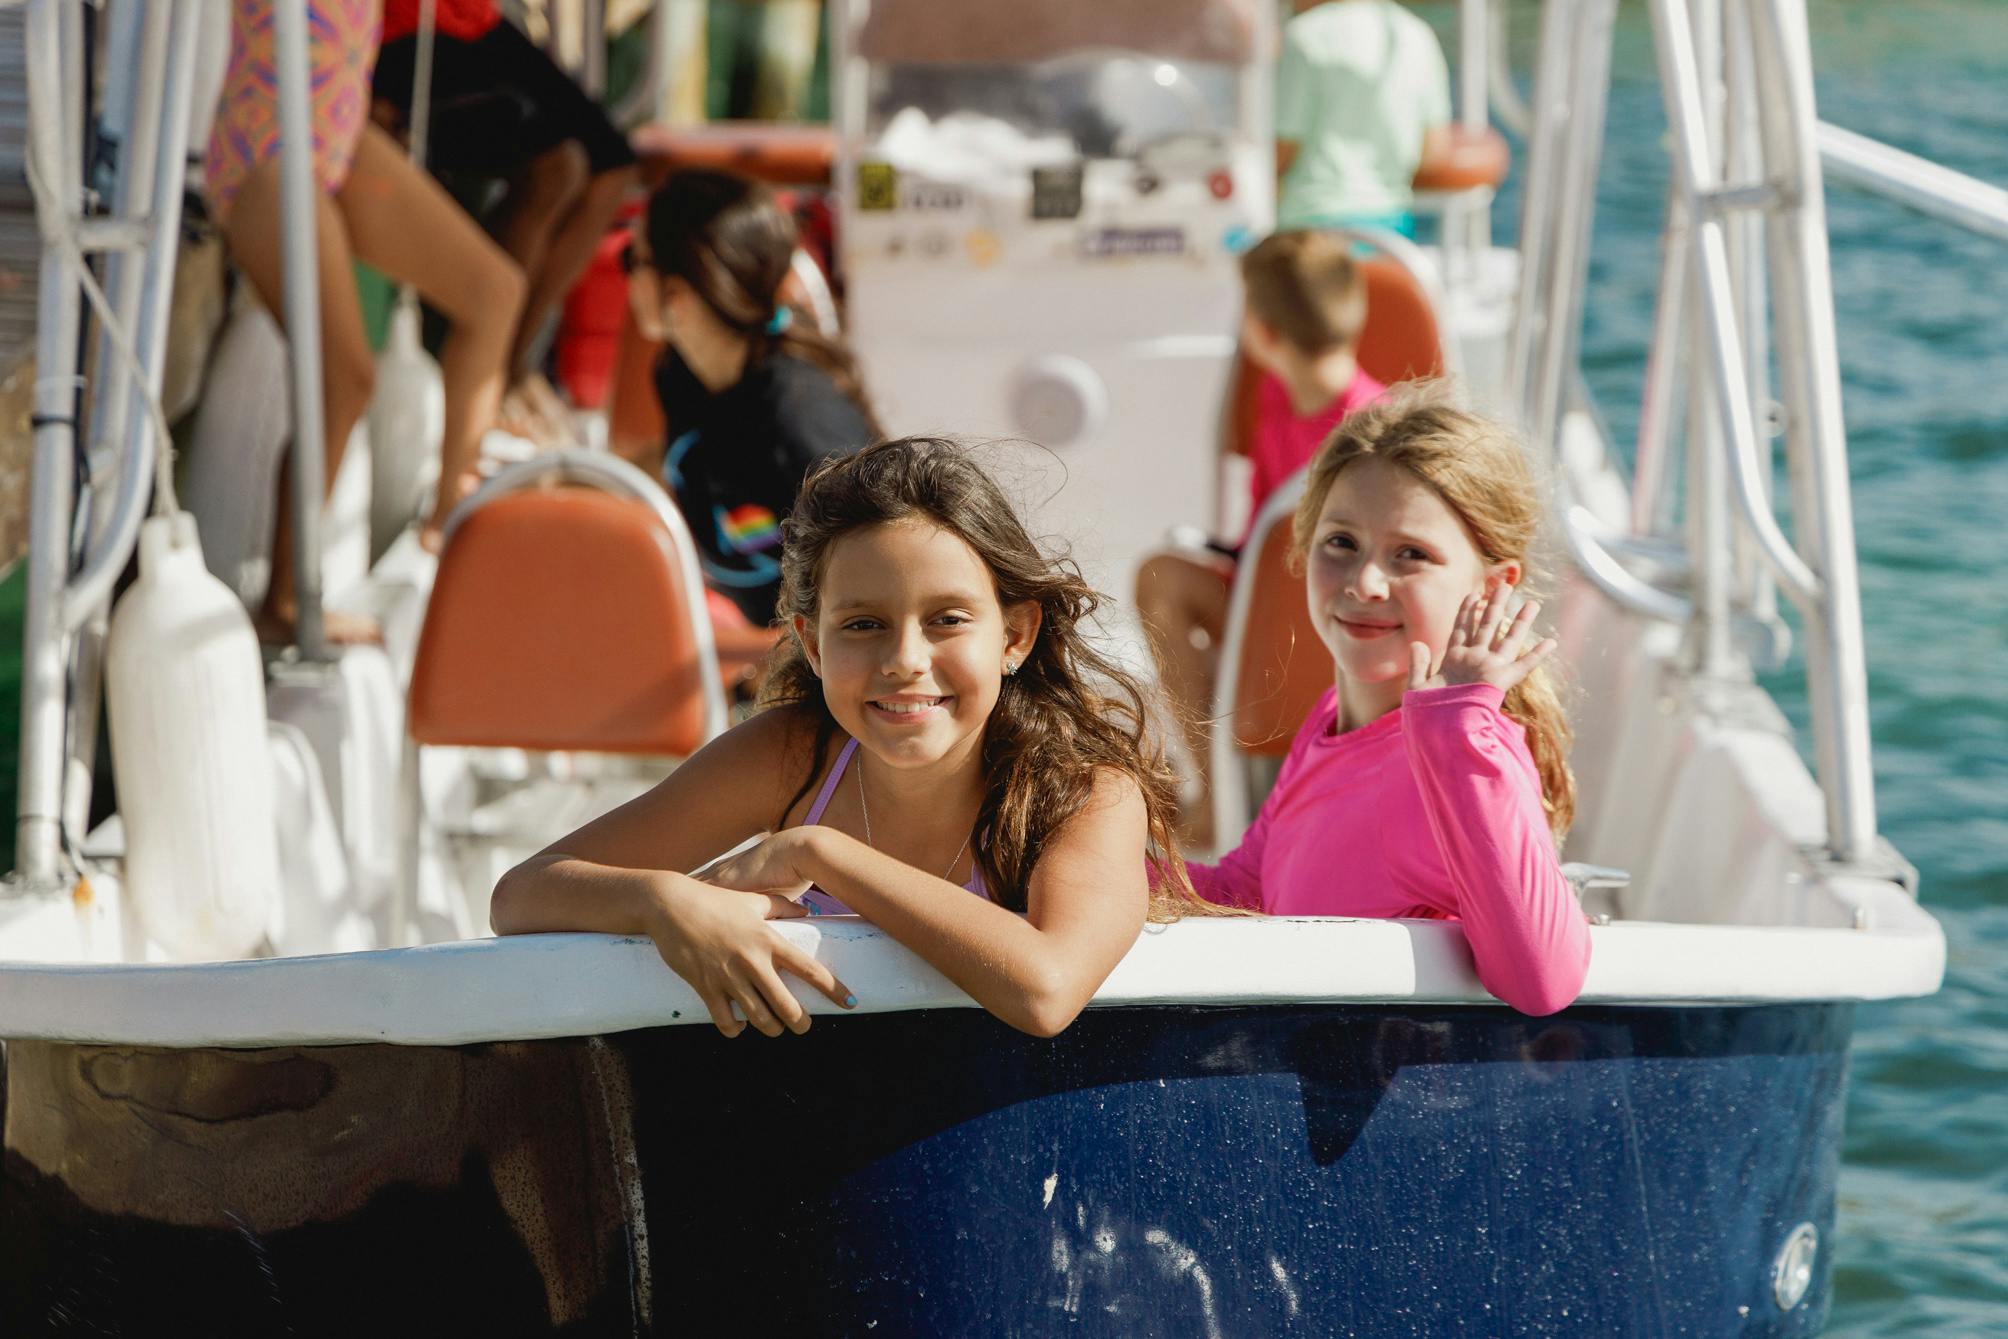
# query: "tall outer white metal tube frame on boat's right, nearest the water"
[1818,571]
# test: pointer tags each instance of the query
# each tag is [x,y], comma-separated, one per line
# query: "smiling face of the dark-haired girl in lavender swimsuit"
[911,641]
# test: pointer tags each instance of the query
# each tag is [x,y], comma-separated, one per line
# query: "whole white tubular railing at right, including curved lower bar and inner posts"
[1744,280]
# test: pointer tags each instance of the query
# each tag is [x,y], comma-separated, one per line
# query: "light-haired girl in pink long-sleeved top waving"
[1433,778]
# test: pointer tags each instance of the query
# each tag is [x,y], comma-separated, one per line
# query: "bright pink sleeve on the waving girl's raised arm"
[1483,800]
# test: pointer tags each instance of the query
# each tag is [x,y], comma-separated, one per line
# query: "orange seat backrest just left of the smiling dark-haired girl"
[561,621]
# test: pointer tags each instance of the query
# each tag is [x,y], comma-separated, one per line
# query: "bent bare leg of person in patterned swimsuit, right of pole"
[409,228]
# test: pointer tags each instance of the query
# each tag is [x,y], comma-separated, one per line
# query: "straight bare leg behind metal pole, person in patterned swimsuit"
[348,370]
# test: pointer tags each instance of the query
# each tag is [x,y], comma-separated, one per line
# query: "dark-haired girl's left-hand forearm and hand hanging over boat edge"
[714,939]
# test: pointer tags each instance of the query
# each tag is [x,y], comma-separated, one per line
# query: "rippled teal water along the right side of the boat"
[1925,362]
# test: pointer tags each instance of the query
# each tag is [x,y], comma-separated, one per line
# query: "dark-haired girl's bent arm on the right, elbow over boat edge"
[1085,908]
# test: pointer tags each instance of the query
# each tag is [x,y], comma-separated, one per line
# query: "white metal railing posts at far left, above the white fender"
[71,565]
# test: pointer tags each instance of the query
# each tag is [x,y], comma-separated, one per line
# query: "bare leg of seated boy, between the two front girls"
[1184,607]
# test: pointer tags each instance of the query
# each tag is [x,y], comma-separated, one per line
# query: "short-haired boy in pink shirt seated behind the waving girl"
[1306,308]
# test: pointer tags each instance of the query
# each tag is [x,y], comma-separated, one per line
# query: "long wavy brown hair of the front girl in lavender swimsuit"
[1061,720]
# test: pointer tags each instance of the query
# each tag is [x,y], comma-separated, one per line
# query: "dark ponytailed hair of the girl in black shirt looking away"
[732,242]
